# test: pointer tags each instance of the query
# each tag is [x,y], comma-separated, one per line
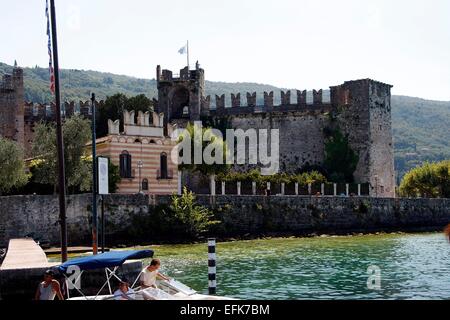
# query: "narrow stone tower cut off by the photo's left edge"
[12,105]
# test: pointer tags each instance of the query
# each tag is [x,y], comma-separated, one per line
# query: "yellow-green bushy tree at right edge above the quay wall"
[431,180]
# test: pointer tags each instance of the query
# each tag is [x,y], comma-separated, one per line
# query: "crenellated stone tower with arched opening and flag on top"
[180,97]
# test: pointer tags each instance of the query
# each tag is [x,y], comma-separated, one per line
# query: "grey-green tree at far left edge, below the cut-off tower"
[12,169]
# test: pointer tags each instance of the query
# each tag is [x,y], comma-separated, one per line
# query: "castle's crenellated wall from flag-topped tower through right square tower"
[361,109]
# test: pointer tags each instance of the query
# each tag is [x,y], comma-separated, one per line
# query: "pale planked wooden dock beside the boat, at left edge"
[25,254]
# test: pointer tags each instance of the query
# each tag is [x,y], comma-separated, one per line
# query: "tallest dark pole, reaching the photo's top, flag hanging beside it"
[59,138]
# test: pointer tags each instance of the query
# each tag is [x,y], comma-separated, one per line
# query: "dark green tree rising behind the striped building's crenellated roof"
[114,107]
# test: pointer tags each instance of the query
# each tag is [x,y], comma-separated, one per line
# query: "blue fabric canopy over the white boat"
[105,260]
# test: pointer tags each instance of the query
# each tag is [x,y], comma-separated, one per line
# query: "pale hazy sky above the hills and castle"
[303,44]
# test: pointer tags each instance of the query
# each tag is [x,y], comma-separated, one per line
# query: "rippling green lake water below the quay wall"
[412,267]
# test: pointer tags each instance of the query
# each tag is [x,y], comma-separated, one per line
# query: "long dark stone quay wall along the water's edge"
[37,216]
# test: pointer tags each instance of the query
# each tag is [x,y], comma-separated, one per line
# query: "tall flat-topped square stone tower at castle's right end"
[365,116]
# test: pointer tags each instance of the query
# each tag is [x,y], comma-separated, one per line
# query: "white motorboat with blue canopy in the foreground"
[111,261]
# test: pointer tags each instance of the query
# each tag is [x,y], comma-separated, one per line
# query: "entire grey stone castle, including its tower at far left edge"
[361,109]
